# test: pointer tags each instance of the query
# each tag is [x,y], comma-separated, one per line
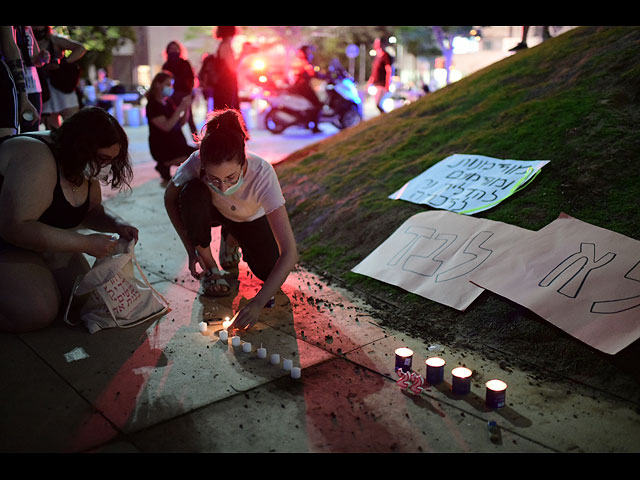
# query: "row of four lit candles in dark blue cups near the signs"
[496,390]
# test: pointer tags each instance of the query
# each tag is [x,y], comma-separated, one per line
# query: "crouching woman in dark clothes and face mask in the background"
[167,143]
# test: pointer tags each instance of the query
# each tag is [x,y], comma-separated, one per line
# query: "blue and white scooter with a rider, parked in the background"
[342,107]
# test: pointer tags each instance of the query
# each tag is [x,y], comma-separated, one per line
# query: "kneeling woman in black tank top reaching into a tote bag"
[50,184]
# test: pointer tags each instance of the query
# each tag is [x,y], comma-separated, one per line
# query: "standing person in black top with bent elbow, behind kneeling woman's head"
[60,103]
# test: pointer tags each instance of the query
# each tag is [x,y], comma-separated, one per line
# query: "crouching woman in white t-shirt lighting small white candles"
[222,185]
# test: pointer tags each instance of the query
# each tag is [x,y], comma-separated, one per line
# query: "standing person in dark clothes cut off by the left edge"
[14,100]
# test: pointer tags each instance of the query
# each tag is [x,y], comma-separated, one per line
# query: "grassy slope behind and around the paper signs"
[573,100]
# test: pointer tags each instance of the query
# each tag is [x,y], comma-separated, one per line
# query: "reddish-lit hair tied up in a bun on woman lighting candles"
[223,137]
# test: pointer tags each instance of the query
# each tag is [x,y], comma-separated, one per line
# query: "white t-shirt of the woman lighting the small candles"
[260,194]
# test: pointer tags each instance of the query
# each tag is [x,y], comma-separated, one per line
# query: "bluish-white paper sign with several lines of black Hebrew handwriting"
[469,184]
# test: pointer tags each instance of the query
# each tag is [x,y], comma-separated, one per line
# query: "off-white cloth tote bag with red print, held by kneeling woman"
[117,297]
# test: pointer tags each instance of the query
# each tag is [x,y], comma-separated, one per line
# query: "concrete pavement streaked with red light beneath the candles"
[166,387]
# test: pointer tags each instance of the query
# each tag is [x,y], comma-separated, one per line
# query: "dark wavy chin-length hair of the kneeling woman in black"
[78,140]
